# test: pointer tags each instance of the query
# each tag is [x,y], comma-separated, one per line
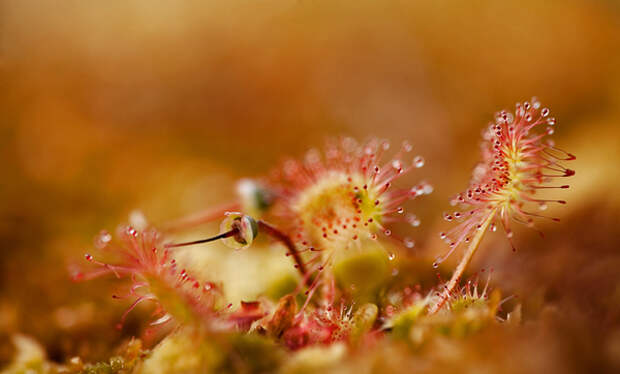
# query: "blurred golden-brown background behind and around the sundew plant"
[107,107]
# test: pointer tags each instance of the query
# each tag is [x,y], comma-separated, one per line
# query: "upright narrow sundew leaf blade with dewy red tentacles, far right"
[516,163]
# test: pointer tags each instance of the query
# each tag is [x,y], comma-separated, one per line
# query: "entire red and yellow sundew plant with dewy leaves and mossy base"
[346,221]
